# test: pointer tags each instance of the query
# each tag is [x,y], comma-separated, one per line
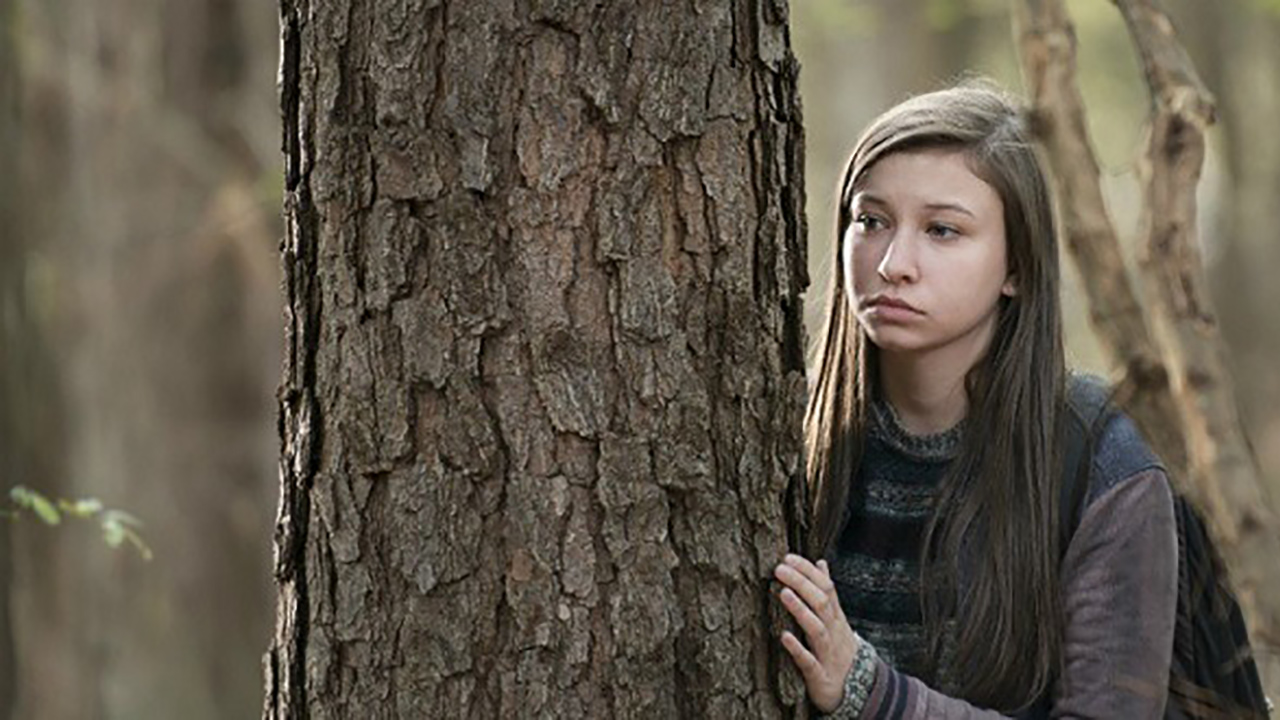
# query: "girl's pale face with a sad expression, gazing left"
[925,259]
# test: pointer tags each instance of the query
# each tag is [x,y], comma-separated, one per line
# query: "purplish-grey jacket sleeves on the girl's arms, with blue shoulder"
[1119,600]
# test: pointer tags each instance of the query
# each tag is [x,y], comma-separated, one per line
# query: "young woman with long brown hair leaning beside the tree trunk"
[934,438]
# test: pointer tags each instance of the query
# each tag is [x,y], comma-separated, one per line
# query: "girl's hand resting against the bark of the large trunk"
[811,598]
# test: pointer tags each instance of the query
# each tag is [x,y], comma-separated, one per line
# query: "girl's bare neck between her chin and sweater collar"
[929,395]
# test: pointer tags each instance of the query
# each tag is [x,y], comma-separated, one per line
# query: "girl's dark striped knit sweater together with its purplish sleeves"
[1119,580]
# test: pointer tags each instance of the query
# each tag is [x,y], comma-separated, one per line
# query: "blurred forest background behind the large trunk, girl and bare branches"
[140,202]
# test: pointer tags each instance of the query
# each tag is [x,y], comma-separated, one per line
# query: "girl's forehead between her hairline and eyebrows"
[927,177]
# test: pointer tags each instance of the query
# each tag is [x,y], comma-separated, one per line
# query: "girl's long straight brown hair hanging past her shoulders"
[998,509]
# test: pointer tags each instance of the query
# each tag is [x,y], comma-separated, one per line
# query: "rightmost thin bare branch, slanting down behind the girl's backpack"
[1223,466]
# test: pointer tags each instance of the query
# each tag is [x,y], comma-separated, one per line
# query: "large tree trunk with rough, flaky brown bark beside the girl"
[543,370]
